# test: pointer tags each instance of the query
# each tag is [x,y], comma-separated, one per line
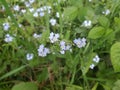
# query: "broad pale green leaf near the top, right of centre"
[70,13]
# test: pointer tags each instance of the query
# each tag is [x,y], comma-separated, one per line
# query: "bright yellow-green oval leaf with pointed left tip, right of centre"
[96,33]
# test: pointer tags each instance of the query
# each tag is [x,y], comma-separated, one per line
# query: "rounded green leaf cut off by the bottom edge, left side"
[25,86]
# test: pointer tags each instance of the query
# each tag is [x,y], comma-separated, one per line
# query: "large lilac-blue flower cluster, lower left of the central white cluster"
[42,51]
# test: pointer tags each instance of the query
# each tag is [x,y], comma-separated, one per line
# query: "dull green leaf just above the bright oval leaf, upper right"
[104,21]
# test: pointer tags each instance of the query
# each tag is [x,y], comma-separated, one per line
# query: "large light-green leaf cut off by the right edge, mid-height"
[115,56]
